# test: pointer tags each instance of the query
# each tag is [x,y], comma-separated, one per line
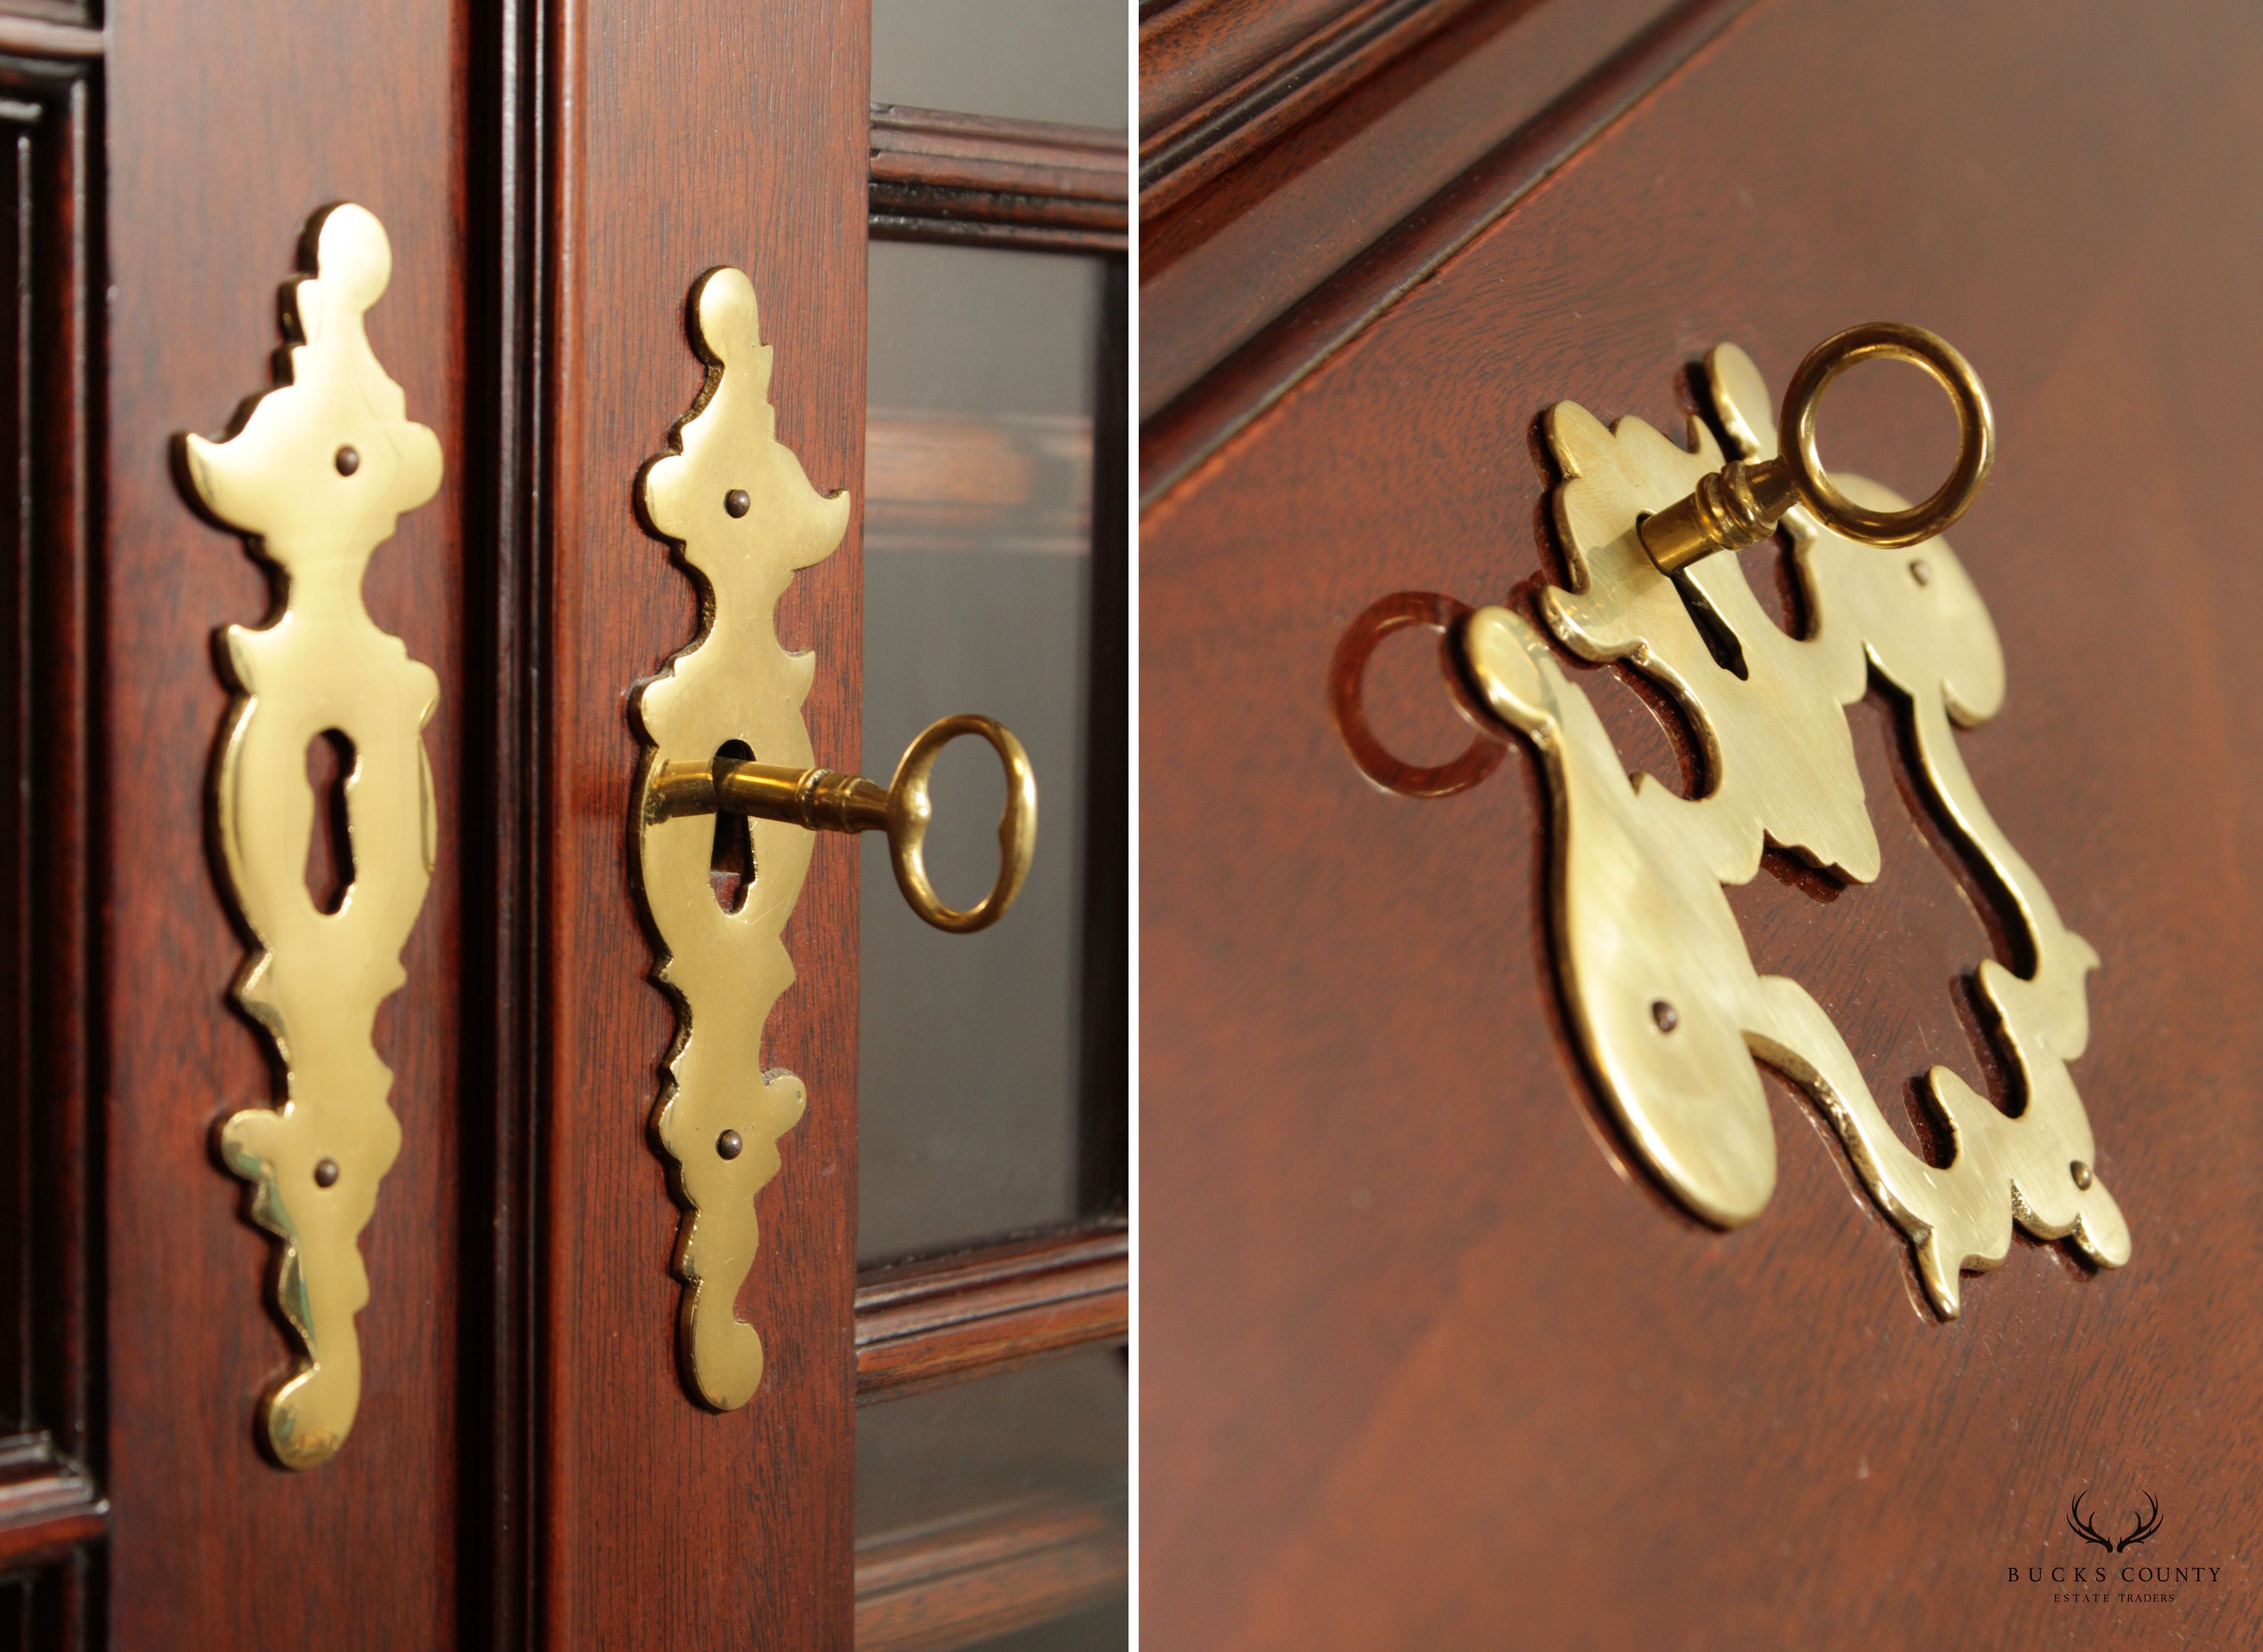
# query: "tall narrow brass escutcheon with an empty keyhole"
[316,479]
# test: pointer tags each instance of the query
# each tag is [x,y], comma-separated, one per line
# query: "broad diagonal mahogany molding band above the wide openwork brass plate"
[1282,261]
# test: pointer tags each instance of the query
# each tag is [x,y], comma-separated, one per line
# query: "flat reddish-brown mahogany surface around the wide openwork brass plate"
[1427,1361]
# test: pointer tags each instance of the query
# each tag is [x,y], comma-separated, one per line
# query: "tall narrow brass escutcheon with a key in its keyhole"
[743,519]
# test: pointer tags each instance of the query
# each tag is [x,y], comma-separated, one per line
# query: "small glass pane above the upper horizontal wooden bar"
[1031,60]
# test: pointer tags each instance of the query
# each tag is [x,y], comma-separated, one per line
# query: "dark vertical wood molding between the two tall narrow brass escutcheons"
[506,662]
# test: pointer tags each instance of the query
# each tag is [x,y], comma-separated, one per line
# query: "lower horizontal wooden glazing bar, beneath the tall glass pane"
[945,1320]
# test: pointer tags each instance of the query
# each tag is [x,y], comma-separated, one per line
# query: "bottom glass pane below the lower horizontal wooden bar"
[1022,1474]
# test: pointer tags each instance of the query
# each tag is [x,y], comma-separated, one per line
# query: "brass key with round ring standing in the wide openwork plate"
[1744,501]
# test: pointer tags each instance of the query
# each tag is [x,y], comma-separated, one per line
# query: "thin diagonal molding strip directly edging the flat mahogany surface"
[1230,393]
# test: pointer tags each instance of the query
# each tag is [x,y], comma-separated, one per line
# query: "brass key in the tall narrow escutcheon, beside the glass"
[820,800]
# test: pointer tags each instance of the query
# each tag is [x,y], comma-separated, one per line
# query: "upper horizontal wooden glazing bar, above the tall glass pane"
[999,182]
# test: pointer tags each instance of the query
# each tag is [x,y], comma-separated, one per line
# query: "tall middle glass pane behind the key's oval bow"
[976,599]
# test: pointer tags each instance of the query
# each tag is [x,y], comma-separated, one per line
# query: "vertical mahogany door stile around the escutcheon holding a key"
[682,139]
